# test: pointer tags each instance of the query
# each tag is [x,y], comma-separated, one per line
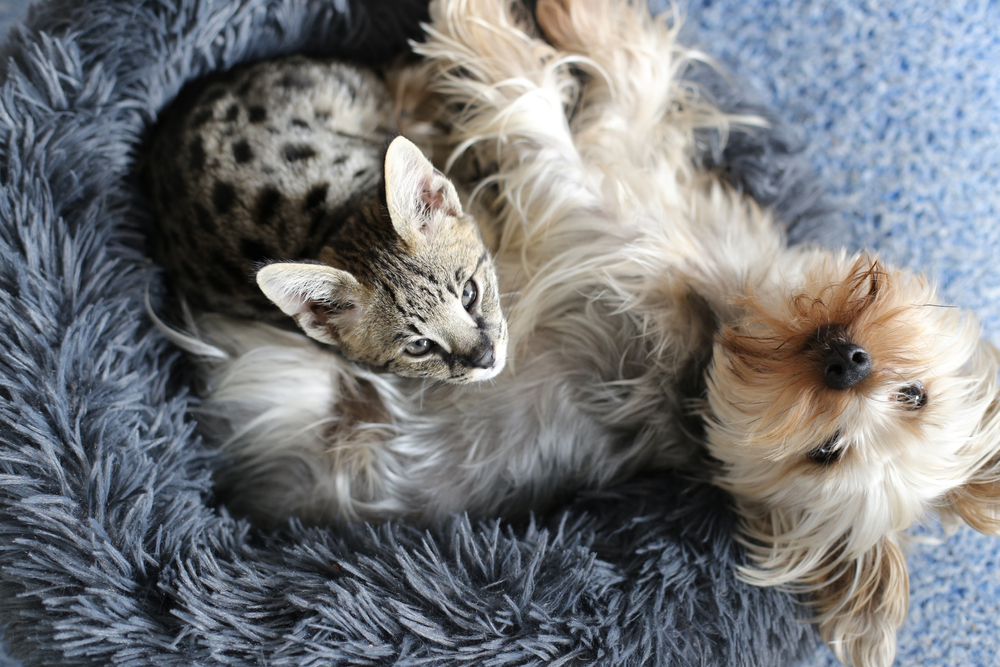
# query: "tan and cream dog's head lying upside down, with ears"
[844,405]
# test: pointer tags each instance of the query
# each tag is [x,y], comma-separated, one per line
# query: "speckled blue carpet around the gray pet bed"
[899,101]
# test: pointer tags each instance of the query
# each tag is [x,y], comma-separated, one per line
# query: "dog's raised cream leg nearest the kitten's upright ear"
[511,92]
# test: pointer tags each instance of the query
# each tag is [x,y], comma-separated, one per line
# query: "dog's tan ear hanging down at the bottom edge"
[861,604]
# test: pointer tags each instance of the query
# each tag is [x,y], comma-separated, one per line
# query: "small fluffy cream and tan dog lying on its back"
[839,401]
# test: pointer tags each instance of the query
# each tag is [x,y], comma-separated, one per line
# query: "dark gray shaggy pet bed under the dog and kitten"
[112,549]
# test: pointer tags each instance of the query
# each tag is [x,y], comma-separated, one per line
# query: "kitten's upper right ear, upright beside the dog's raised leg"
[418,195]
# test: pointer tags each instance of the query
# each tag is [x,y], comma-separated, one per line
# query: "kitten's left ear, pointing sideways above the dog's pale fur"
[324,301]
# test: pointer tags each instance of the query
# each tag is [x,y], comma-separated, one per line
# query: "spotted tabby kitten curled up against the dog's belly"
[280,171]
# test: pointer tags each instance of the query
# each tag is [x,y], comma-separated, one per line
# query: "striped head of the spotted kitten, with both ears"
[420,299]
